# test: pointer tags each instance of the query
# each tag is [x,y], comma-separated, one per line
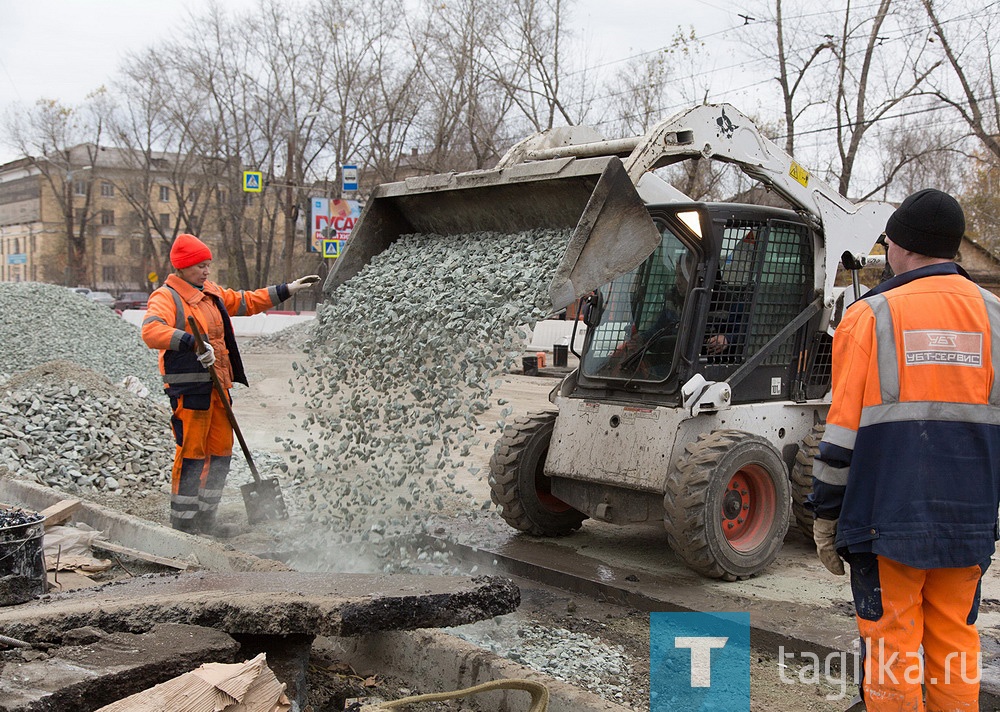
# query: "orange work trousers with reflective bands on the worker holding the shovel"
[204,451]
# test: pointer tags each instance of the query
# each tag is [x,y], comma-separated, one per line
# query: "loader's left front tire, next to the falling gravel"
[518,485]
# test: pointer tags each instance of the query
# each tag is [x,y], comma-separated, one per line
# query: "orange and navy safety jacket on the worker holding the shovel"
[165,328]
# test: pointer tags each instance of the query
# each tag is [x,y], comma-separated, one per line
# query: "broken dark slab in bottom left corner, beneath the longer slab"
[79,678]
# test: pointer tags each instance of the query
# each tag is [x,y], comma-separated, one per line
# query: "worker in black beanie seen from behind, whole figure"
[907,481]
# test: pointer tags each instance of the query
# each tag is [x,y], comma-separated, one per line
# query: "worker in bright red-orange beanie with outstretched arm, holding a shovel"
[201,427]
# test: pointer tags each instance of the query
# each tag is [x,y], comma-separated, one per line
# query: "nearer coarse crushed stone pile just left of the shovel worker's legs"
[72,429]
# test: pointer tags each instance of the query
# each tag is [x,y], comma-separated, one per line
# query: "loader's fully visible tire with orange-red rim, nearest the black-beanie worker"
[726,505]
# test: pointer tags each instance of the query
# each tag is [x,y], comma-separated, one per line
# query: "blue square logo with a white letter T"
[699,661]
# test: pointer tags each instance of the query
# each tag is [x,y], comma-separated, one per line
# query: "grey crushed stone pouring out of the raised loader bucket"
[403,359]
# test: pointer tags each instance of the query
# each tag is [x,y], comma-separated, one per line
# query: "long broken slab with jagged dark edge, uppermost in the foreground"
[256,603]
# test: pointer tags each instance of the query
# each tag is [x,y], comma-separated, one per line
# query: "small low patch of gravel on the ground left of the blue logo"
[577,658]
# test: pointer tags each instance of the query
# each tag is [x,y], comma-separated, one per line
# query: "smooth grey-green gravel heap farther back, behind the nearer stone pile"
[45,322]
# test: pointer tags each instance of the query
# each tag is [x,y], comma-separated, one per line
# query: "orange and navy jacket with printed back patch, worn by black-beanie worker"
[912,439]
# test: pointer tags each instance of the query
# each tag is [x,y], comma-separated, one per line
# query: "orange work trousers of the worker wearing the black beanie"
[900,608]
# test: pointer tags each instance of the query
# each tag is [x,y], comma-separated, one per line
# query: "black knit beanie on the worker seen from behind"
[929,223]
